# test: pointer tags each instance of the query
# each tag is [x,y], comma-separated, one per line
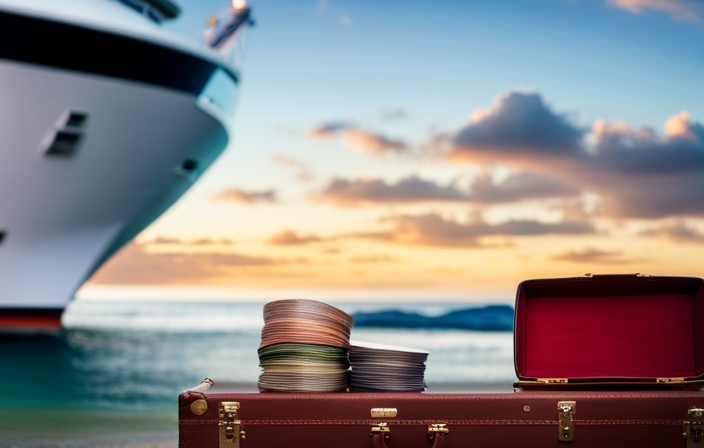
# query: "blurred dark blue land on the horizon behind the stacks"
[487,318]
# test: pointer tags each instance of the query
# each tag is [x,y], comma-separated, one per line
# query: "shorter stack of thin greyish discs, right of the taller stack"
[386,368]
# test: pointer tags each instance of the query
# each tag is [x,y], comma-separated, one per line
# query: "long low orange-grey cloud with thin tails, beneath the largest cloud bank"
[433,230]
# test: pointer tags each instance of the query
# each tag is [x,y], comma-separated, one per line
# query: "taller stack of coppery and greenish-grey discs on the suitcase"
[304,347]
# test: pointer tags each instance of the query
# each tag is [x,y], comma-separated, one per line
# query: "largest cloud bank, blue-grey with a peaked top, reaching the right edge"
[636,172]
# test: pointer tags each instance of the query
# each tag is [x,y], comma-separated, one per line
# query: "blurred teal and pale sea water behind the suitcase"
[113,376]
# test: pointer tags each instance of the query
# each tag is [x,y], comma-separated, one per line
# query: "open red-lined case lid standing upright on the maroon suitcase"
[609,329]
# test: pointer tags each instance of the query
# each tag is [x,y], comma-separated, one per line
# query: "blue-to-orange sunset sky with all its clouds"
[444,150]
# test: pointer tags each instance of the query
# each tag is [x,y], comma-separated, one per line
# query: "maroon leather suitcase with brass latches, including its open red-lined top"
[602,361]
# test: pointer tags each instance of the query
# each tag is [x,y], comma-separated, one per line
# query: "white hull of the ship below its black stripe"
[63,215]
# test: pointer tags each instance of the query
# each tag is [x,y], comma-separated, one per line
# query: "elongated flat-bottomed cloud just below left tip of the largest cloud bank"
[409,189]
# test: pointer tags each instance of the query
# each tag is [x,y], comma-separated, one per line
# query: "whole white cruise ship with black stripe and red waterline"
[106,119]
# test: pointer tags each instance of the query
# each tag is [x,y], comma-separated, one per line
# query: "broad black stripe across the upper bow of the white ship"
[70,47]
